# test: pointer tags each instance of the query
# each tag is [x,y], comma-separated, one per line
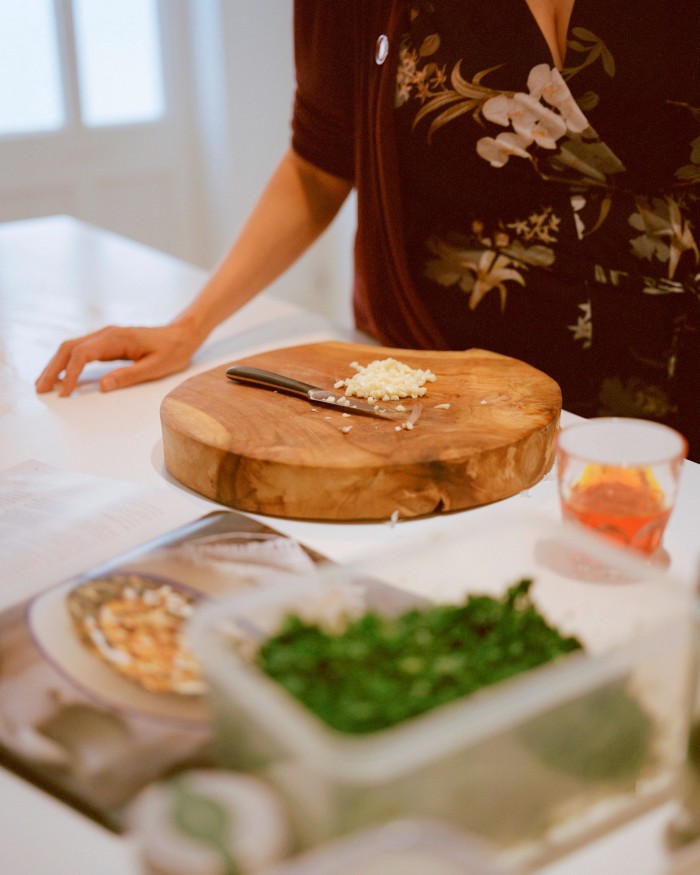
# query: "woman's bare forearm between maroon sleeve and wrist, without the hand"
[297,205]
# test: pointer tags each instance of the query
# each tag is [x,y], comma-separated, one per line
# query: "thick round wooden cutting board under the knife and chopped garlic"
[266,452]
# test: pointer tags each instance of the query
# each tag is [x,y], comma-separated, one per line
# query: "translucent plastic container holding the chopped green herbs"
[535,764]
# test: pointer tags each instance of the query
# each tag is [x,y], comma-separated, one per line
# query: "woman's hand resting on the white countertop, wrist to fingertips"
[155,353]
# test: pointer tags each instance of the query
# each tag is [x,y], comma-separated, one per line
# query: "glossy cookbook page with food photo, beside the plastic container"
[99,696]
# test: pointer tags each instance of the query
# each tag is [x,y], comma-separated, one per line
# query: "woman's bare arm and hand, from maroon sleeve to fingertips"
[297,205]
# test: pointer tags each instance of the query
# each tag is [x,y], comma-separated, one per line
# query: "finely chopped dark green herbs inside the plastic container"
[380,671]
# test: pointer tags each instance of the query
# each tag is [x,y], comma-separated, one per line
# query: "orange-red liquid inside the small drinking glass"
[629,510]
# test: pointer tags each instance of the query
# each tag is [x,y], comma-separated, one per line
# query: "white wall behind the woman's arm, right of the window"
[244,87]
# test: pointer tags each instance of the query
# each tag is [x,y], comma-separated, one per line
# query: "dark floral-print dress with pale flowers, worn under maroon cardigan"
[554,214]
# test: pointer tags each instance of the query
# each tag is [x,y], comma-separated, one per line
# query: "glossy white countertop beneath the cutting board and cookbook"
[60,278]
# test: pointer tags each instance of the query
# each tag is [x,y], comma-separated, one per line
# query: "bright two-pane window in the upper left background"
[89,62]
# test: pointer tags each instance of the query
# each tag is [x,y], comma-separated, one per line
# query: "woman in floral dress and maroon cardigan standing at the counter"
[527,176]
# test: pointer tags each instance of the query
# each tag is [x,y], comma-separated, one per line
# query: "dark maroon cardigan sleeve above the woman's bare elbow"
[322,123]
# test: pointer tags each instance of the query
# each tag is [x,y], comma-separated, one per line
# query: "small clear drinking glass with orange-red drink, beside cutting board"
[619,477]
